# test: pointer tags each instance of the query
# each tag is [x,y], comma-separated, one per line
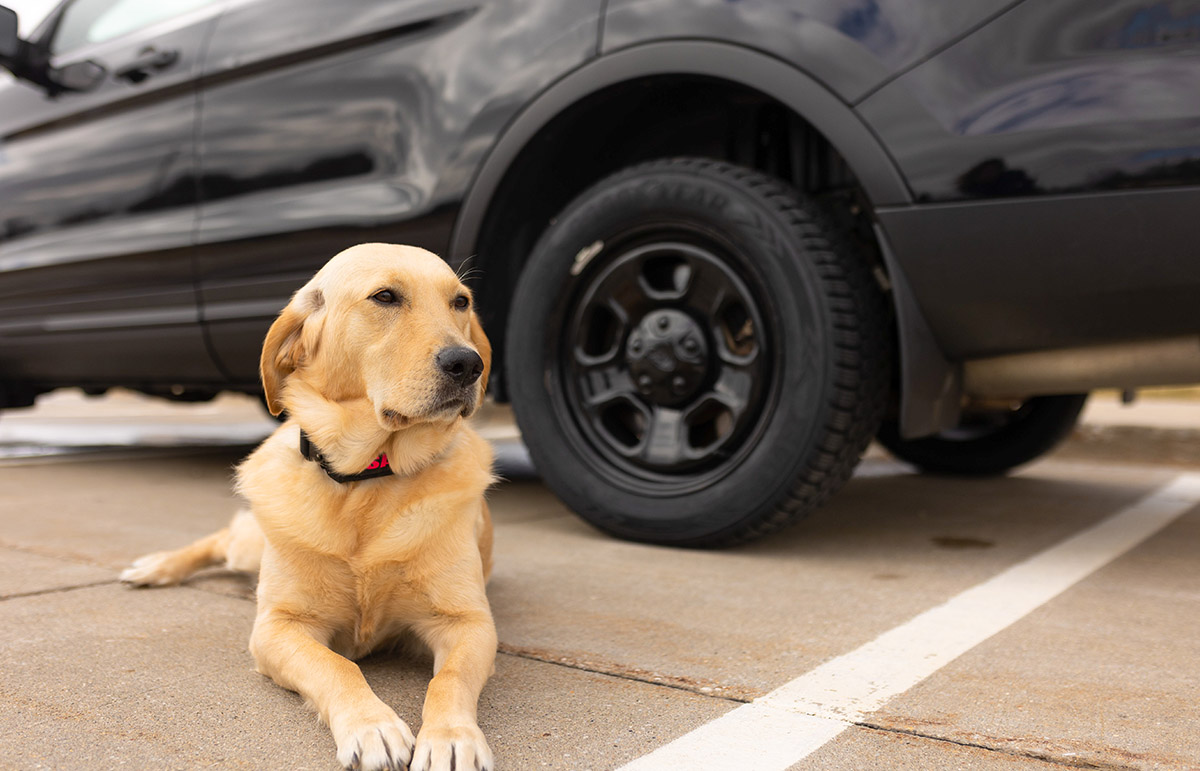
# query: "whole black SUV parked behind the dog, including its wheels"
[721,246]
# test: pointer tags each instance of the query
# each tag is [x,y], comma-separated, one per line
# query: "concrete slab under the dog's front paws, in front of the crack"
[106,678]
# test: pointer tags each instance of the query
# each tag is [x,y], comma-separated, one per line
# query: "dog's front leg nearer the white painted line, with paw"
[464,658]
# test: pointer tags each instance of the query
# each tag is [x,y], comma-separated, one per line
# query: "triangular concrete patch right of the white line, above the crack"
[1106,676]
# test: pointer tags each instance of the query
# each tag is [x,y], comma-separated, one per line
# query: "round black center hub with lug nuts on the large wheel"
[668,357]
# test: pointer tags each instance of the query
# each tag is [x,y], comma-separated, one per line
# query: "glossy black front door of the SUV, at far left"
[98,201]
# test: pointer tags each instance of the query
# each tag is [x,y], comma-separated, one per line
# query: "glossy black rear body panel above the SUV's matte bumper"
[1052,99]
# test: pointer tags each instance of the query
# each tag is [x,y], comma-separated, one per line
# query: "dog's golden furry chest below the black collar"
[373,560]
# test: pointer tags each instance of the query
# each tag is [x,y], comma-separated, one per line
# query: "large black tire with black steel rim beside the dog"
[695,356]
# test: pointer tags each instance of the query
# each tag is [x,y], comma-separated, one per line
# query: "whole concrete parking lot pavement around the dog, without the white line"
[608,650]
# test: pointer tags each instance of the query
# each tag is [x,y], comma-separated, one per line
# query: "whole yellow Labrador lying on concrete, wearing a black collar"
[367,509]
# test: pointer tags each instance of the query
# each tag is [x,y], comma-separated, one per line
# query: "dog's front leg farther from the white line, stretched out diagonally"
[369,733]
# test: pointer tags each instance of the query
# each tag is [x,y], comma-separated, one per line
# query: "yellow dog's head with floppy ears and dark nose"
[389,324]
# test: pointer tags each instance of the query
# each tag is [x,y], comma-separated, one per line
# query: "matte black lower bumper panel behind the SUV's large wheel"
[992,280]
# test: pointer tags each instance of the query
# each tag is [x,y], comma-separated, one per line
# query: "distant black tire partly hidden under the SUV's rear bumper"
[991,444]
